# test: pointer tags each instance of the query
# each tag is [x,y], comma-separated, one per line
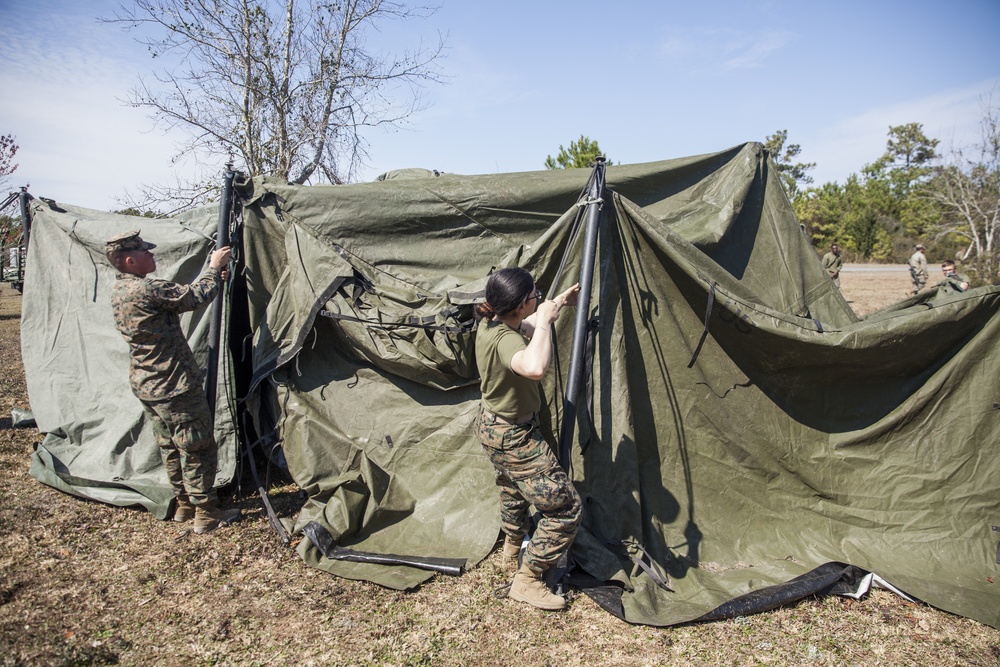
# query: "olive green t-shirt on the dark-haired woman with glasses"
[504,392]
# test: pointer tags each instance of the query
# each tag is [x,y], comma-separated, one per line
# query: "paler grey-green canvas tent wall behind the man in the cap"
[98,443]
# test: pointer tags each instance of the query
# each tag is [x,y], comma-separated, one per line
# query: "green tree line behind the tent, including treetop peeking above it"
[911,194]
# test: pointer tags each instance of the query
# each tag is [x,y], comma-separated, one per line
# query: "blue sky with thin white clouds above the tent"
[648,80]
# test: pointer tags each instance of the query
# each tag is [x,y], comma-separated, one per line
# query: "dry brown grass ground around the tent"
[88,584]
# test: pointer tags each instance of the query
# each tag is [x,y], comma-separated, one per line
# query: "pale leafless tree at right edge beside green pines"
[967,189]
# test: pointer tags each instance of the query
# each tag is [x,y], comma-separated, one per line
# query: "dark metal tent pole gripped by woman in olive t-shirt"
[581,327]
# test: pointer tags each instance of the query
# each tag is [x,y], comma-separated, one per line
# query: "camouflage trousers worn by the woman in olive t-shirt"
[528,473]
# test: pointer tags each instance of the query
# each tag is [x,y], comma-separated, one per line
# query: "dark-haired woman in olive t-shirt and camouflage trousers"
[513,351]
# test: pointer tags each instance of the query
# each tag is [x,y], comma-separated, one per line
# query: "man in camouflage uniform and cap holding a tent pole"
[164,374]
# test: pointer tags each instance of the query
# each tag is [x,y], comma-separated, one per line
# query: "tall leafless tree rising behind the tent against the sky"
[284,88]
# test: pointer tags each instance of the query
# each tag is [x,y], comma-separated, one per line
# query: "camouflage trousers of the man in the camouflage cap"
[183,429]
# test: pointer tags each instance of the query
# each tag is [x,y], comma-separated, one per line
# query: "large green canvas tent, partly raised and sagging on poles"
[744,439]
